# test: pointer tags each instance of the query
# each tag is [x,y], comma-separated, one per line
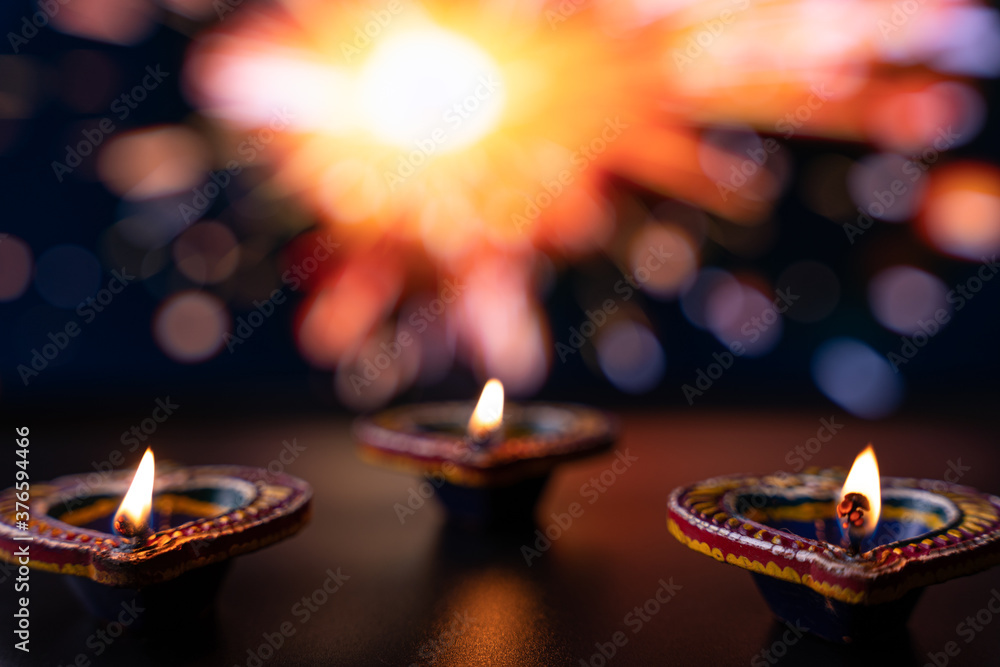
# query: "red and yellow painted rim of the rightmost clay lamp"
[701,517]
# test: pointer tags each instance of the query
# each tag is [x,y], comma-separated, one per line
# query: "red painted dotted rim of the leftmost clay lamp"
[272,508]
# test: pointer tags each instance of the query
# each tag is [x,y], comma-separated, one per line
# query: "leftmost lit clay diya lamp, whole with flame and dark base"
[165,546]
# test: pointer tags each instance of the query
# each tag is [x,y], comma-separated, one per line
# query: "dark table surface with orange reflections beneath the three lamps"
[416,592]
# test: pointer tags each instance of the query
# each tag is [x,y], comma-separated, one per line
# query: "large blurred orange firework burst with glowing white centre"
[454,149]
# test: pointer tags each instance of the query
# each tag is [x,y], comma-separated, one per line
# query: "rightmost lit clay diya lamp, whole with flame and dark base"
[848,559]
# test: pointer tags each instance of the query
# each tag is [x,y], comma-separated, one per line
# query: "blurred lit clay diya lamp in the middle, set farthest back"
[487,464]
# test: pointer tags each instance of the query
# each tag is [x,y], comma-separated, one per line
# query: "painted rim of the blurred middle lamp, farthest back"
[543,435]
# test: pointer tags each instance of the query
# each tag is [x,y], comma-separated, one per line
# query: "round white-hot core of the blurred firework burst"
[430,90]
